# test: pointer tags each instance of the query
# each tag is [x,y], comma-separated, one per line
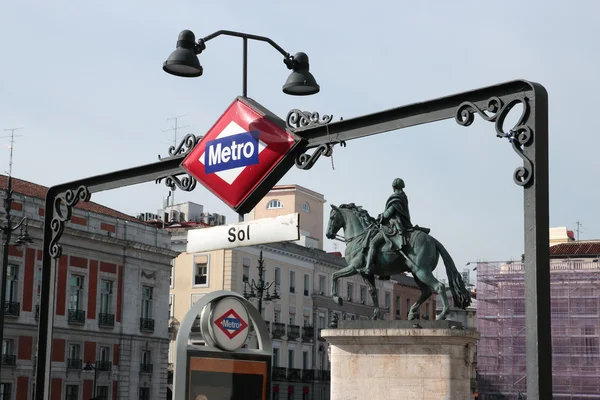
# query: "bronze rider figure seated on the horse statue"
[397,218]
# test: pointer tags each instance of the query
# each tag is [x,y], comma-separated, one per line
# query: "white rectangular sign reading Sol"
[249,233]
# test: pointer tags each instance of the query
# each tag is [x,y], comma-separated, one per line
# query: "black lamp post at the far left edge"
[23,239]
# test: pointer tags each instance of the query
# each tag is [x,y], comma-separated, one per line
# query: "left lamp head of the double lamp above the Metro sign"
[184,60]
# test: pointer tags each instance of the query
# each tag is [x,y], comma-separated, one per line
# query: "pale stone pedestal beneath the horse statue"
[394,360]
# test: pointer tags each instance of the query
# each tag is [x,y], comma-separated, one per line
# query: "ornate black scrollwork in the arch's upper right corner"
[519,136]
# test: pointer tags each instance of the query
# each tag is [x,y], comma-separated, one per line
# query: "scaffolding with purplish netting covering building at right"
[575,297]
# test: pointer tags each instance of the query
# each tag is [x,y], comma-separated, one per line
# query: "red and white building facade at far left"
[111,305]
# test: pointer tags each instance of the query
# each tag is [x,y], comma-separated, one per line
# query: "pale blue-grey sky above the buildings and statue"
[85,81]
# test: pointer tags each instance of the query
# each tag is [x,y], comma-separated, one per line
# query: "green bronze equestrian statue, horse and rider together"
[391,245]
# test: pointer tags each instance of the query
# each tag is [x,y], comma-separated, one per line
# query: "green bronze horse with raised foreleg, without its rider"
[420,257]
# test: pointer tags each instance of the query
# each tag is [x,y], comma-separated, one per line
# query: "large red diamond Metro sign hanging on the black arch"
[243,155]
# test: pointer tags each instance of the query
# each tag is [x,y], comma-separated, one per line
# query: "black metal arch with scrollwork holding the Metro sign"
[528,138]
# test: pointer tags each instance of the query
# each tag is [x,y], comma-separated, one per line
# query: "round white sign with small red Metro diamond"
[229,324]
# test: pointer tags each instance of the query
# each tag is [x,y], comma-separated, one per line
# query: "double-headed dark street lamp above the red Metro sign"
[184,62]
